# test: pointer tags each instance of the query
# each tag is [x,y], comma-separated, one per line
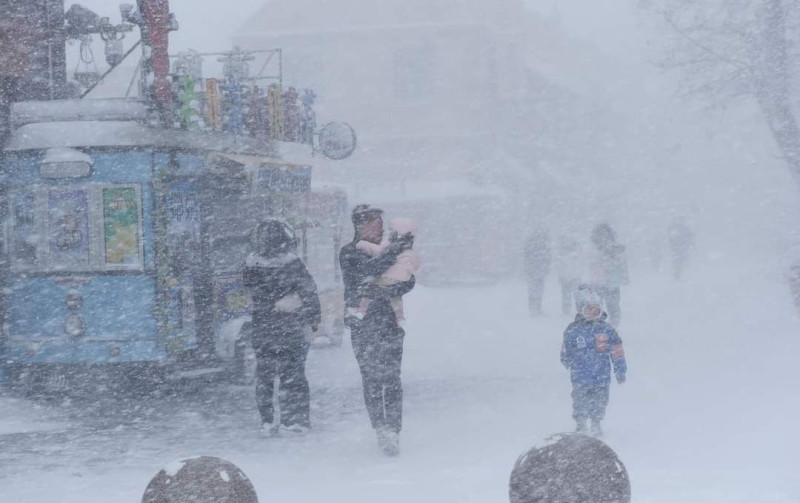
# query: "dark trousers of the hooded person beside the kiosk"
[287,361]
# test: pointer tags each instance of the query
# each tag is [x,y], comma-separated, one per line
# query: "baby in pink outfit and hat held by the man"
[405,266]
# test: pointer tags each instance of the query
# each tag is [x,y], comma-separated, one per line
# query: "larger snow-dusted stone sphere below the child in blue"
[570,468]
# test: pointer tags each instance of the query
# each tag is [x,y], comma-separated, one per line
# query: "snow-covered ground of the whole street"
[708,414]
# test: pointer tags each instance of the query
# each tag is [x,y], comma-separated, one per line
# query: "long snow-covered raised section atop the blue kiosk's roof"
[28,112]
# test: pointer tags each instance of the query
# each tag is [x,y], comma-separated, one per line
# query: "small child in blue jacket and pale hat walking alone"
[591,346]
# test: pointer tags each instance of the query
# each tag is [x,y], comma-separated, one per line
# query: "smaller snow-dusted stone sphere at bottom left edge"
[202,479]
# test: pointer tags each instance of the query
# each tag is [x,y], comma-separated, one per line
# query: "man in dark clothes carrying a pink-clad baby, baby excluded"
[377,339]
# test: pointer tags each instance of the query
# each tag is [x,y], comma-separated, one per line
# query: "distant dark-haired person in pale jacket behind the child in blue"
[608,270]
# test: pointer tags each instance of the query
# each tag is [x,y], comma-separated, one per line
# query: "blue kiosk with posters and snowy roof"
[122,242]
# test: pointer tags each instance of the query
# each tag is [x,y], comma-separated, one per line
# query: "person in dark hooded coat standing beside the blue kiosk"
[285,308]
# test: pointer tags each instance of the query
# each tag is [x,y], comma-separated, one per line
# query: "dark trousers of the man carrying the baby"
[379,354]
